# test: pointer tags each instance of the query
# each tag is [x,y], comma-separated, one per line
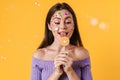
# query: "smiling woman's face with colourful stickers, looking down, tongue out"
[62,24]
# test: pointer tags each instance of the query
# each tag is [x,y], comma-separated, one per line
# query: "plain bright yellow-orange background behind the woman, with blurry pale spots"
[22,28]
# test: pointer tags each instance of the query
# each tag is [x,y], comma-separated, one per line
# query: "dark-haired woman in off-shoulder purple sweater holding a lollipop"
[52,61]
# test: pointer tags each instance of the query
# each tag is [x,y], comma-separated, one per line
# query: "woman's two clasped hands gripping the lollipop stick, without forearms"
[63,62]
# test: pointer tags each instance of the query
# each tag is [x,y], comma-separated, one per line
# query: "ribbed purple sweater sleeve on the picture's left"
[36,70]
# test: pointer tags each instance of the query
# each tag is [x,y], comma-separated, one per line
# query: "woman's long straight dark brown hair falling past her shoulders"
[48,36]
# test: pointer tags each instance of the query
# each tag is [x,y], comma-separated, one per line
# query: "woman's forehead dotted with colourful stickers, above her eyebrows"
[62,13]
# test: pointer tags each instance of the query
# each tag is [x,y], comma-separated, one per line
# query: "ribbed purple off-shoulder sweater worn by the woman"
[42,69]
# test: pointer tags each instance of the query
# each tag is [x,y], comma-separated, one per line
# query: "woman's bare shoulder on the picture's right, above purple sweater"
[81,53]
